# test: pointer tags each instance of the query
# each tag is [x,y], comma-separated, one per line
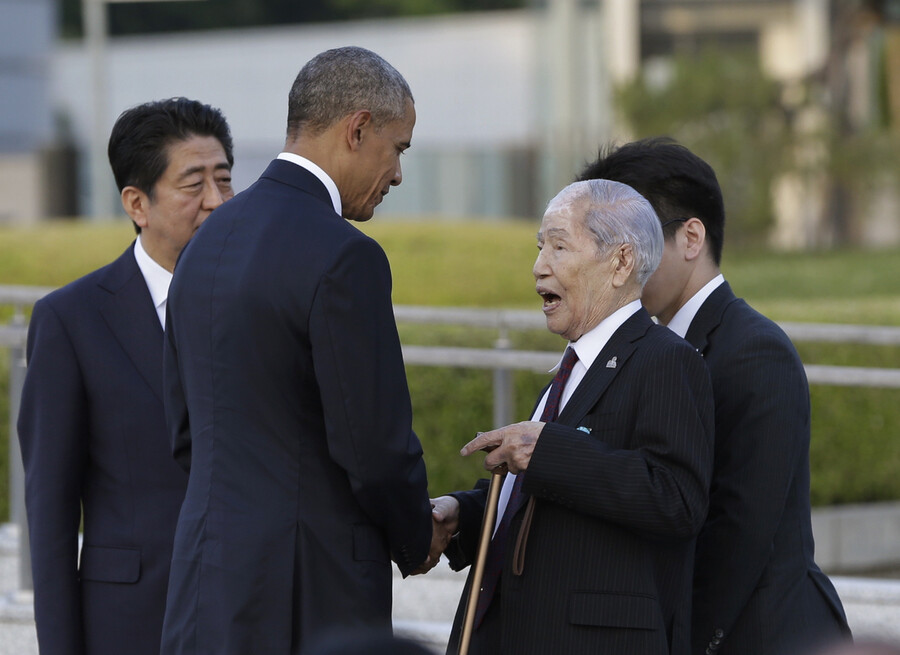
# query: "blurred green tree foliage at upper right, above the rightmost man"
[754,130]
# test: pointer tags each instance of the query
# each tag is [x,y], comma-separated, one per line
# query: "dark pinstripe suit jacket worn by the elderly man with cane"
[619,503]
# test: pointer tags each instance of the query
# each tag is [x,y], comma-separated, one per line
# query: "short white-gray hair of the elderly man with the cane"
[618,214]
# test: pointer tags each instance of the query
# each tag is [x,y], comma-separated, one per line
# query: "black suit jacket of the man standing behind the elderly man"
[756,586]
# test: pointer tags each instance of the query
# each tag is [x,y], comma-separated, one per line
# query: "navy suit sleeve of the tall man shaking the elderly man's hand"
[365,398]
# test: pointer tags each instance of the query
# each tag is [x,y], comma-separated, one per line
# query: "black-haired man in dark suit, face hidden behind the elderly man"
[757,589]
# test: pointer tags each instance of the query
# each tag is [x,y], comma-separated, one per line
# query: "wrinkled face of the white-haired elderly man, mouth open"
[573,276]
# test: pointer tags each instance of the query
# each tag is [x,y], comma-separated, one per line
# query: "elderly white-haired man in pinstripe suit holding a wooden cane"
[612,485]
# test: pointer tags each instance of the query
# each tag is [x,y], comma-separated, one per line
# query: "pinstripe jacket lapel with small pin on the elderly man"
[606,366]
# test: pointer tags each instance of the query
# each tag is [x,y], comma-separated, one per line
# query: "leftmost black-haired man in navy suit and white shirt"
[91,423]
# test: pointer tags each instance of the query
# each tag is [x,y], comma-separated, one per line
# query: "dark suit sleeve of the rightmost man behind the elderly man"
[763,432]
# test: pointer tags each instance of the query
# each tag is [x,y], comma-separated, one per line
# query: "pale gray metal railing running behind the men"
[501,359]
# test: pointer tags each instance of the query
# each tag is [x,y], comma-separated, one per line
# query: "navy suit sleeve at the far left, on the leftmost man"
[53,427]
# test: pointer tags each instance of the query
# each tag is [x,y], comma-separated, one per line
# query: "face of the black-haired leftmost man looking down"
[196,181]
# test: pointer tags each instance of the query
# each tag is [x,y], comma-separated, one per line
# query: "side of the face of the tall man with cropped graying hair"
[378,168]
